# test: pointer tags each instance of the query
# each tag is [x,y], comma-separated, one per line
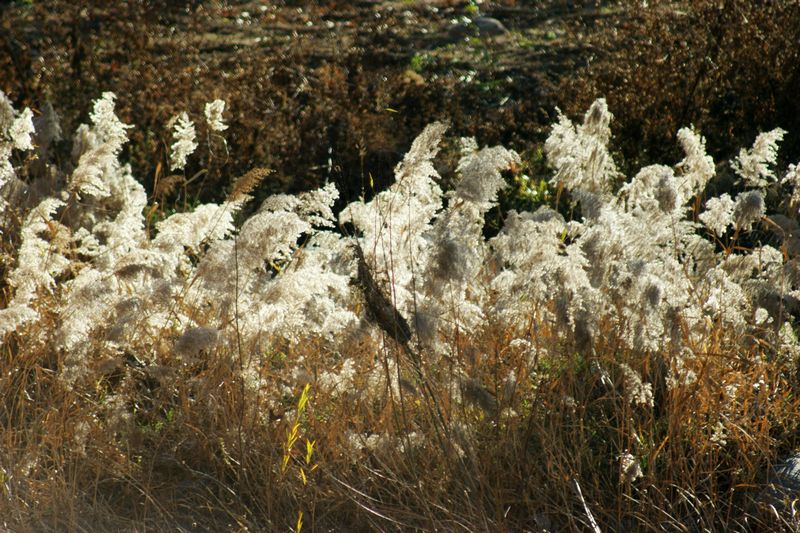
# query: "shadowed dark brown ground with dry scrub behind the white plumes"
[336,91]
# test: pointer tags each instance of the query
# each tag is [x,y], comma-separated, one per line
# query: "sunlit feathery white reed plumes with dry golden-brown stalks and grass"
[630,366]
